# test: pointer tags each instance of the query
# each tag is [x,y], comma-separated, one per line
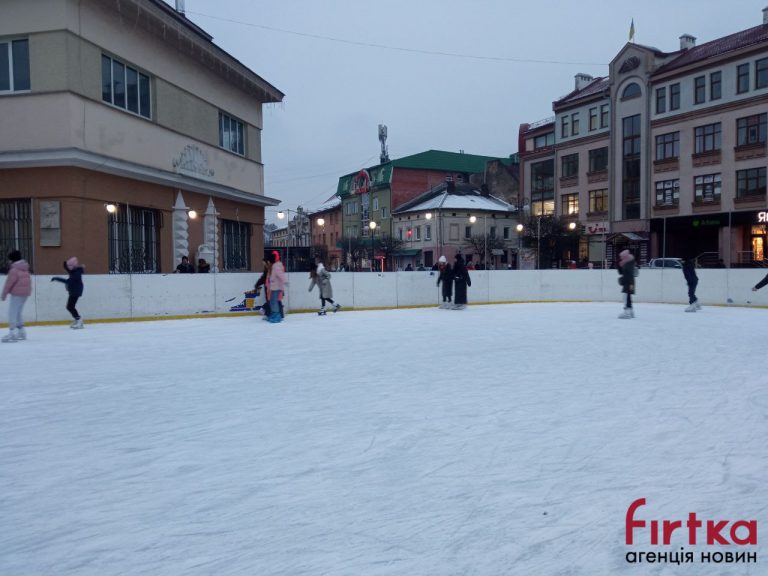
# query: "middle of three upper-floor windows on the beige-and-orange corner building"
[125,87]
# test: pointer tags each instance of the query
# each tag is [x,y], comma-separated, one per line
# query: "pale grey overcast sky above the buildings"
[337,91]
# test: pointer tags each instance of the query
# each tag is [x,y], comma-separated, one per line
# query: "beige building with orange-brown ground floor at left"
[128,107]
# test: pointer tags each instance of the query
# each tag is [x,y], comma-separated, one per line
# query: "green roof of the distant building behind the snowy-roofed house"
[381,174]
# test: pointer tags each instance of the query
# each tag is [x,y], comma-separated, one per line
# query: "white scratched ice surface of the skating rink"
[498,440]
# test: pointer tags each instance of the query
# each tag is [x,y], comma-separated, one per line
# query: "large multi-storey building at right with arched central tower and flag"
[666,155]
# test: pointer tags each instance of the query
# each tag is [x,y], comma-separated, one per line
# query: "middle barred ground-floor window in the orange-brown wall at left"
[134,240]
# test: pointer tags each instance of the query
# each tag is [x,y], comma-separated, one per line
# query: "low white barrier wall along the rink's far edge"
[121,296]
